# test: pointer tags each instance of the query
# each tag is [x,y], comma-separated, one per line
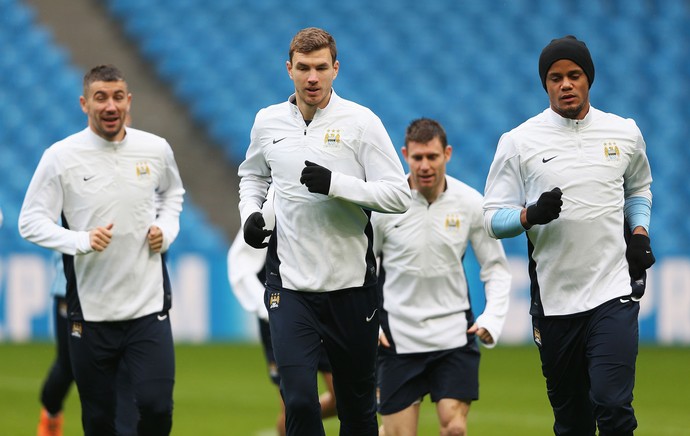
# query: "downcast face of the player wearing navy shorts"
[427,162]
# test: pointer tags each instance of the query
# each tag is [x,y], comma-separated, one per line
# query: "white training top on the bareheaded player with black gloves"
[322,242]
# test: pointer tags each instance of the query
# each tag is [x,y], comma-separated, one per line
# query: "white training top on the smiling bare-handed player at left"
[132,184]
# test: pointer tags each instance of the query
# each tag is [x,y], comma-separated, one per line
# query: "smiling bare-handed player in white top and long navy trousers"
[120,195]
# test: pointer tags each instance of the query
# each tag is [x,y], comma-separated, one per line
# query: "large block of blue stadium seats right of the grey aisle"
[472,65]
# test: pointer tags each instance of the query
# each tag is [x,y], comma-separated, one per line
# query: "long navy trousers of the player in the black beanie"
[589,365]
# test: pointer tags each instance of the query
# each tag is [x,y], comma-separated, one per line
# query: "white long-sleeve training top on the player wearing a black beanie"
[578,260]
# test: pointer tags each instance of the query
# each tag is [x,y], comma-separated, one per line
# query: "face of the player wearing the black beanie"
[568,89]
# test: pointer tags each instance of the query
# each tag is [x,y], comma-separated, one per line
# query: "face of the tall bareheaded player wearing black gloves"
[313,74]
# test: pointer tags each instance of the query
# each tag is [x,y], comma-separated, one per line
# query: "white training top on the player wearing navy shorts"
[425,292]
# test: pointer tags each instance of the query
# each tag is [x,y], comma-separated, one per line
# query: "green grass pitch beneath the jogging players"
[223,390]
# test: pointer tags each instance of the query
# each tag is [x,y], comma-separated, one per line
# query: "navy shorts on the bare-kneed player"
[403,379]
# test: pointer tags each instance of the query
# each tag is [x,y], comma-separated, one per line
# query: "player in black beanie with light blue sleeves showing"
[569,177]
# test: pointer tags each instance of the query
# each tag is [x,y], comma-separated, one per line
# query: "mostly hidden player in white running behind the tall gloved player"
[247,275]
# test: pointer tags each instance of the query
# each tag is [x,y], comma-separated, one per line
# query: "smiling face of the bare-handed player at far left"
[106,106]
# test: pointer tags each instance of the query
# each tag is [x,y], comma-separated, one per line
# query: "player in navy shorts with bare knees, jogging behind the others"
[428,341]
